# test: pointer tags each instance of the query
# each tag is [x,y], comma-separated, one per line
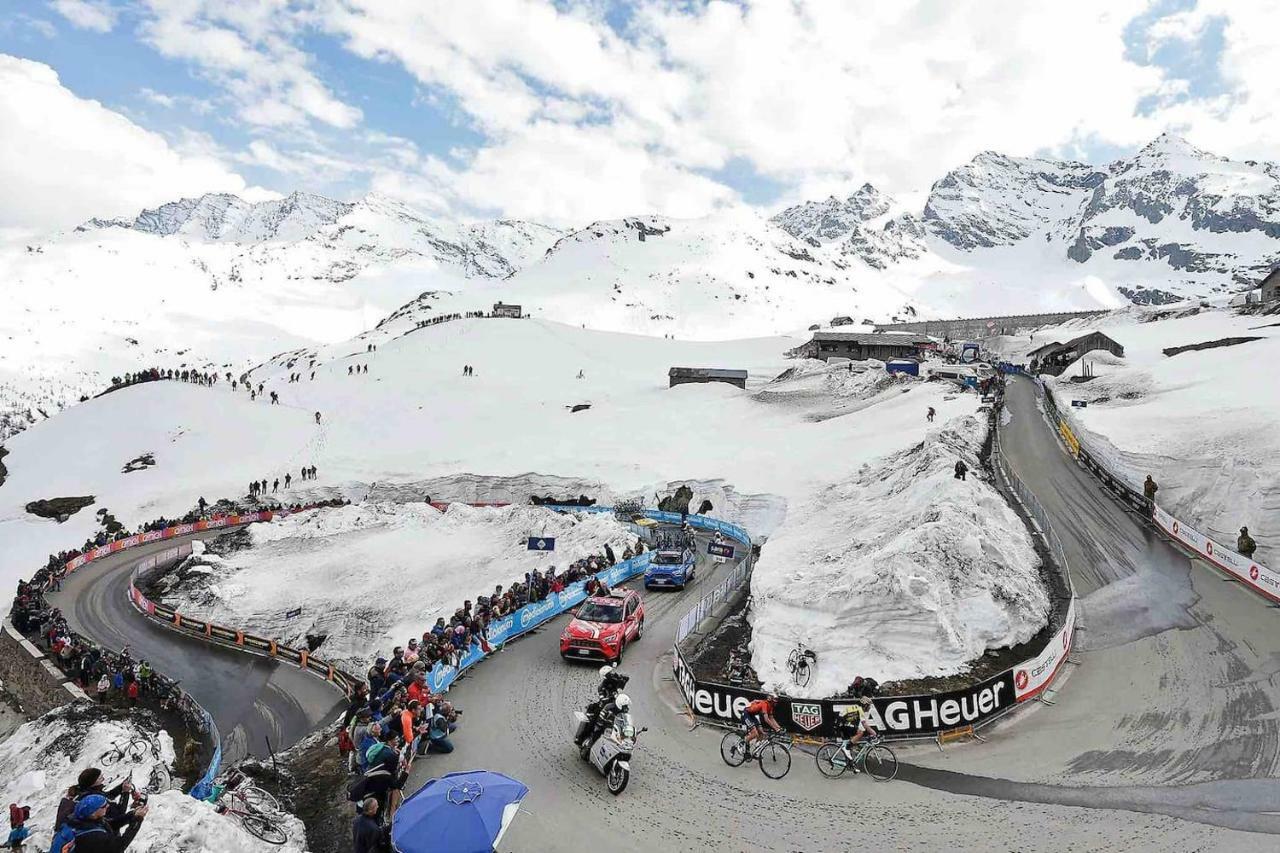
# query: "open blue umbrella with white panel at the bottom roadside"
[464,813]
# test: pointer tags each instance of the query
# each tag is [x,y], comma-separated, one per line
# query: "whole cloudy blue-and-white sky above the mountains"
[570,111]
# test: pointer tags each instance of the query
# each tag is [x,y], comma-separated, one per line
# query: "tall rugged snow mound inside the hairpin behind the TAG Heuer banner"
[898,572]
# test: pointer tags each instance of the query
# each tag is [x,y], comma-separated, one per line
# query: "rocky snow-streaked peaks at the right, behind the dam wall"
[1168,223]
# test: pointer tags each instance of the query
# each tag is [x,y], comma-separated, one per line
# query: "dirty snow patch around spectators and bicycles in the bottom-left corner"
[43,759]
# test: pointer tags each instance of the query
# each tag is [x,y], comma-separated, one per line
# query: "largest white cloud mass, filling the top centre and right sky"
[811,94]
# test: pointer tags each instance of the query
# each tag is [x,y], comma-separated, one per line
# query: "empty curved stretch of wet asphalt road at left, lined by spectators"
[250,699]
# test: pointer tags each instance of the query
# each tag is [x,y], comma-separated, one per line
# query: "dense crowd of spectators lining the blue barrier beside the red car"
[394,718]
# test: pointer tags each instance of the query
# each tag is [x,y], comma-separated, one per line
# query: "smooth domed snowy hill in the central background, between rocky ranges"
[715,279]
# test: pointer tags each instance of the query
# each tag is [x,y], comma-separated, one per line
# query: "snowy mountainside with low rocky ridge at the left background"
[218,282]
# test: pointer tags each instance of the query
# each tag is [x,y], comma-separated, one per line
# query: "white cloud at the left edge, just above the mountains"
[65,159]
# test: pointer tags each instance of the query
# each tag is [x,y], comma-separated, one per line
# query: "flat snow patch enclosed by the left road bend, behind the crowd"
[373,576]
